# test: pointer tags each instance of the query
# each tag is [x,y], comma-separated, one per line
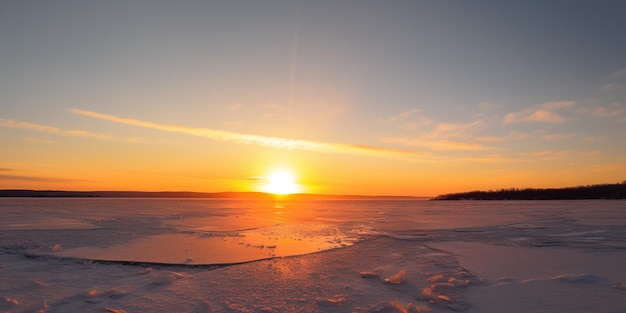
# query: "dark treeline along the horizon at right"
[604,191]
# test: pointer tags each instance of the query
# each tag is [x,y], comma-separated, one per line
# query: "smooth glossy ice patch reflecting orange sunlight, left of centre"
[221,248]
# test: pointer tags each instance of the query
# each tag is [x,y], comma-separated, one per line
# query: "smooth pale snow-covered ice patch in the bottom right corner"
[522,279]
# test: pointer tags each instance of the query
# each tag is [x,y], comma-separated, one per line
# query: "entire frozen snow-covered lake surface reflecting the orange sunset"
[169,255]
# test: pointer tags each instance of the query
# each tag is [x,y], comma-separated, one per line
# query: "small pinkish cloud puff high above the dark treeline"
[540,113]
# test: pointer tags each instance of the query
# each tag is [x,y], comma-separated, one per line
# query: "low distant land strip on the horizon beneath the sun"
[19,193]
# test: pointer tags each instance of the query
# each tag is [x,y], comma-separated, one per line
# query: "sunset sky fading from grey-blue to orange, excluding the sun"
[350,97]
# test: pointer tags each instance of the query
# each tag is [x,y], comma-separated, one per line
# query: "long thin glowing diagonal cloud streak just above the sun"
[250,139]
